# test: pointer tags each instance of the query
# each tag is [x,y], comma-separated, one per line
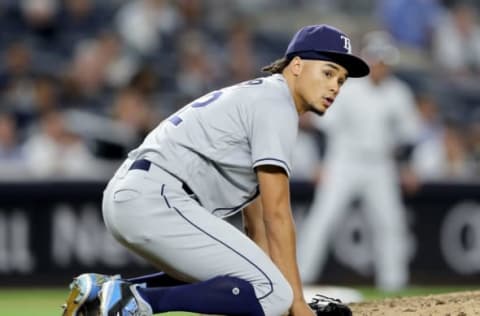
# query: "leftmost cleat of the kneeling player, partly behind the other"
[83,297]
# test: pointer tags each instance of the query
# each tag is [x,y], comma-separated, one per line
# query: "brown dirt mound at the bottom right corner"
[452,304]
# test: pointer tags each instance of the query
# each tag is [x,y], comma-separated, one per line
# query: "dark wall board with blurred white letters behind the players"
[51,231]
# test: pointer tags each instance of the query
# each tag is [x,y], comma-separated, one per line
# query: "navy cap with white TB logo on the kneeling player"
[324,42]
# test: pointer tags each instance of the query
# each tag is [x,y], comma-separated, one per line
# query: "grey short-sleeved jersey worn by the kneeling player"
[214,143]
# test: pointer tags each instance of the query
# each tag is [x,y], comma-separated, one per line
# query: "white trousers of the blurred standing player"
[377,184]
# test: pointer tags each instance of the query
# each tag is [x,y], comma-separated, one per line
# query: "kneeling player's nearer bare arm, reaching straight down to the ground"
[280,230]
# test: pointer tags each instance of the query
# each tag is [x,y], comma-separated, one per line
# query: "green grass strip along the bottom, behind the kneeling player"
[46,302]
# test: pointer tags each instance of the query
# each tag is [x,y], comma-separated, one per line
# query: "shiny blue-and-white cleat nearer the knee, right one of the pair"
[121,298]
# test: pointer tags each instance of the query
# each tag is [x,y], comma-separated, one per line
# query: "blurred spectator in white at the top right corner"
[456,41]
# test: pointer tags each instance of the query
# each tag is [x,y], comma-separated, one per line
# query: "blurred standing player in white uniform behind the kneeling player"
[370,122]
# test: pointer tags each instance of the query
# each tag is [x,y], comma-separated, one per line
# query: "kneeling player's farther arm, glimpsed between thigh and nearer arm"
[254,225]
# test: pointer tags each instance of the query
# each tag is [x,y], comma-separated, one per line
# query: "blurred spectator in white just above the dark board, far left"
[53,151]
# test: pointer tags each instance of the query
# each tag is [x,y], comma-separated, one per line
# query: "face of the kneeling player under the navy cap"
[318,84]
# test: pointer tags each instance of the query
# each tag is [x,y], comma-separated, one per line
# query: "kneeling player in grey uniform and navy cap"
[227,151]
